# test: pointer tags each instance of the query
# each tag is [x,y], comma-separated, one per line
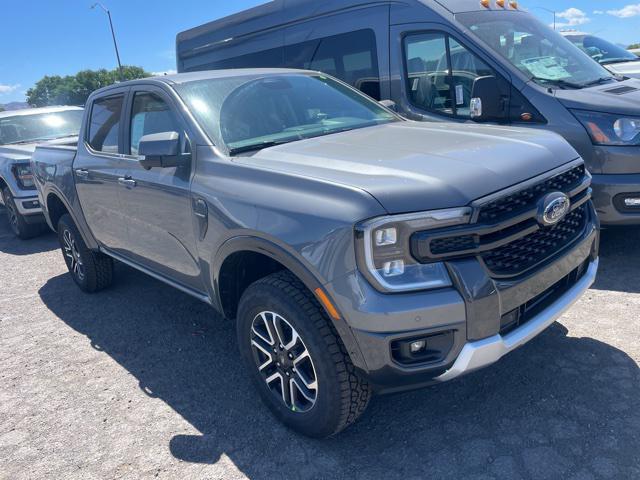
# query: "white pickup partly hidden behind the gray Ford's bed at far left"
[20,132]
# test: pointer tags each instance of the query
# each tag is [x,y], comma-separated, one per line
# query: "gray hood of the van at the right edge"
[620,97]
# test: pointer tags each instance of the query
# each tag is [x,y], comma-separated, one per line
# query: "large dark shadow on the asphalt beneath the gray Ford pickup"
[556,407]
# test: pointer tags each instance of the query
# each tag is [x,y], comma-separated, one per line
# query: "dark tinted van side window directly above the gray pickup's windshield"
[351,57]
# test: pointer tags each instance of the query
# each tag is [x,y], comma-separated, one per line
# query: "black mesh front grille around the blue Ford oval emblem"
[506,235]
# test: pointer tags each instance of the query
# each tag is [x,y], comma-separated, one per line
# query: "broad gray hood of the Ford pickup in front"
[411,166]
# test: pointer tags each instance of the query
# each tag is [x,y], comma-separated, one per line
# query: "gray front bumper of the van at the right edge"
[609,192]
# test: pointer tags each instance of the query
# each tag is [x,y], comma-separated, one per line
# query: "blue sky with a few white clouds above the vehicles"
[59,37]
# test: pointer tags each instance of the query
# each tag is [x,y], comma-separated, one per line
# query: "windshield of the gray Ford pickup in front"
[251,112]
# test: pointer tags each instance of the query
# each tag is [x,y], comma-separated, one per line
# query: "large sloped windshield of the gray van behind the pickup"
[542,54]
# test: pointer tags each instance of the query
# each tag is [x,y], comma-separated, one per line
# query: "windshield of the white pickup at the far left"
[39,127]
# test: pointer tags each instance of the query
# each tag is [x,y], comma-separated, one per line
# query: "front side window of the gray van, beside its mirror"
[441,72]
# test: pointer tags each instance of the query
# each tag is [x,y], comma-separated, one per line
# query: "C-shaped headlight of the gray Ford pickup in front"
[383,247]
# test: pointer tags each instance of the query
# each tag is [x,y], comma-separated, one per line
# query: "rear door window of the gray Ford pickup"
[104,126]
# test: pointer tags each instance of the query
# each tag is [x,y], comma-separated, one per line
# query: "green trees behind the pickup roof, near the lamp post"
[75,89]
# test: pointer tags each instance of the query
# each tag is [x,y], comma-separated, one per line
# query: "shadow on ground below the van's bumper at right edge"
[619,260]
